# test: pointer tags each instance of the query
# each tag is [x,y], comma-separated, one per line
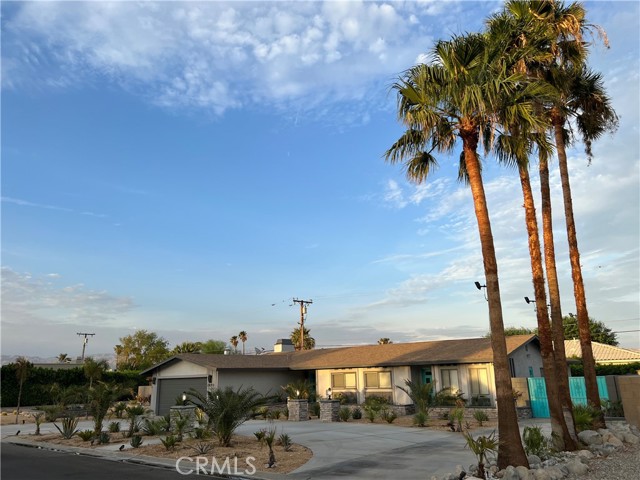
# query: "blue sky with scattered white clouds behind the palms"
[191,168]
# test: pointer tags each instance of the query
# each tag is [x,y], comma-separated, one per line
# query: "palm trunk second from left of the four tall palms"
[562,438]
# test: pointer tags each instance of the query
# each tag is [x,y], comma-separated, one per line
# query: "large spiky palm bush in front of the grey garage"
[227,409]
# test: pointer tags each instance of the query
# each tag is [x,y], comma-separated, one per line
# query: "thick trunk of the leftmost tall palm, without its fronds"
[510,451]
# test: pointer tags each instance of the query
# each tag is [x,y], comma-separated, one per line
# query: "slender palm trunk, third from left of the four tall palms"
[557,329]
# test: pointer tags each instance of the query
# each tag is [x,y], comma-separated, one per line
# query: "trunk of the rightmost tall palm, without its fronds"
[588,361]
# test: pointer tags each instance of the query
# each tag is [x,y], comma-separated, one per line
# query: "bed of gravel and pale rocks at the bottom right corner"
[609,454]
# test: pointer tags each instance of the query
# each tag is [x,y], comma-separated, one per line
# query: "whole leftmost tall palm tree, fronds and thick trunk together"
[458,96]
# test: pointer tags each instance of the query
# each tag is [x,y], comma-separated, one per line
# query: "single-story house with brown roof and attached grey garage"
[464,365]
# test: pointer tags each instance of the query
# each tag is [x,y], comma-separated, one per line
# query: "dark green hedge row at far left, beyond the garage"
[37,389]
